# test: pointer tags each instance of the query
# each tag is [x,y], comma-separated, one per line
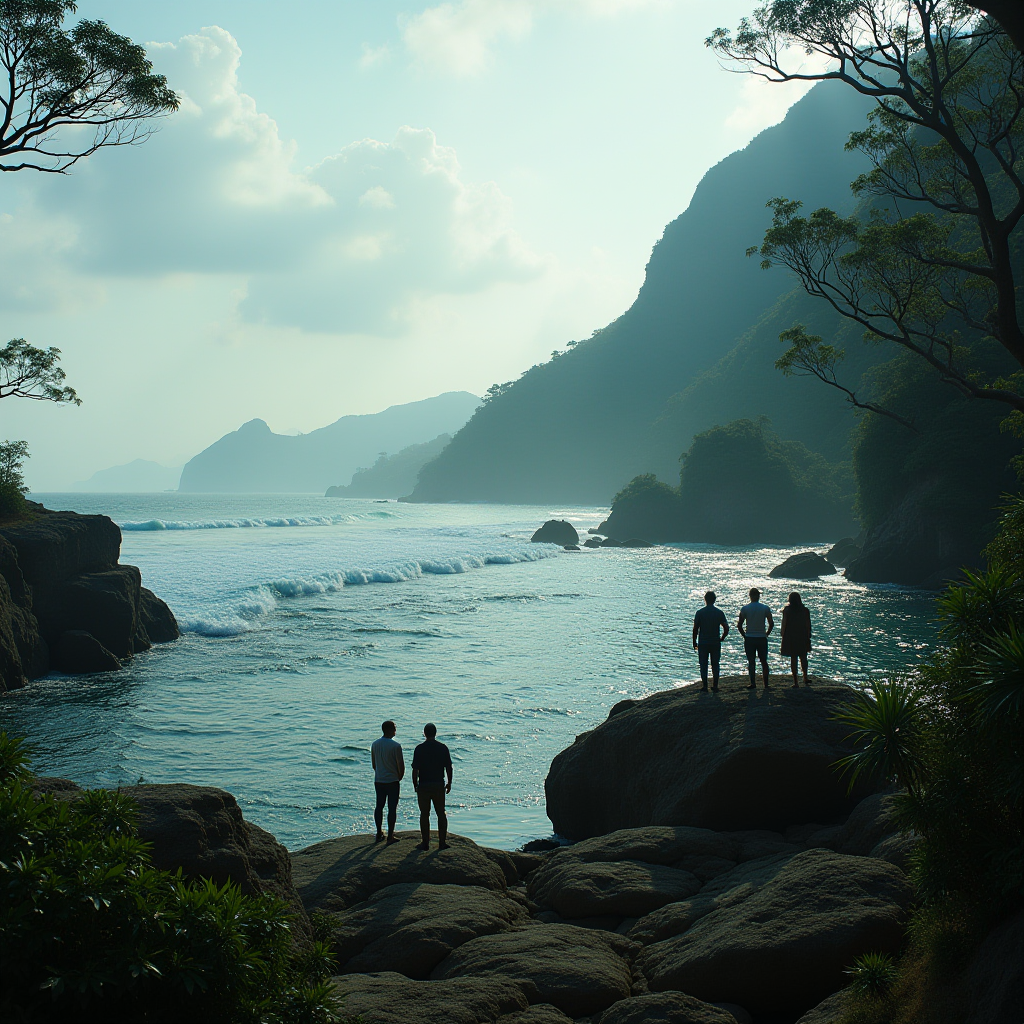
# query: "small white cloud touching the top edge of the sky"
[457,39]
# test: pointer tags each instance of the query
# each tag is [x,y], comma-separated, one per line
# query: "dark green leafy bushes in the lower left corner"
[91,931]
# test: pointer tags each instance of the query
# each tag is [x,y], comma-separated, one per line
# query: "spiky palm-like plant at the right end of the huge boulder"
[888,731]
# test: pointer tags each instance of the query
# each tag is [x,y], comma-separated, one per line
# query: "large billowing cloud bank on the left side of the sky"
[348,246]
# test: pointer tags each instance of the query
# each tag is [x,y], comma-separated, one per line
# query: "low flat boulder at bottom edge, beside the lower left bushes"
[394,999]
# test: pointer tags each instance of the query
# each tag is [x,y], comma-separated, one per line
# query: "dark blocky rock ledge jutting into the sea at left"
[66,602]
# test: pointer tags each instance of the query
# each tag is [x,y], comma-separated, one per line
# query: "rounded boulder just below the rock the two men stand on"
[412,927]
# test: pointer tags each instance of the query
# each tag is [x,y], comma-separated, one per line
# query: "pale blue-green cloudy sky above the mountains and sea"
[359,203]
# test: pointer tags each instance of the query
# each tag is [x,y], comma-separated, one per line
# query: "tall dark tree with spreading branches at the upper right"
[936,264]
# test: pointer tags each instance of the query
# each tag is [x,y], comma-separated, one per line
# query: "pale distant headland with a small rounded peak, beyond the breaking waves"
[253,459]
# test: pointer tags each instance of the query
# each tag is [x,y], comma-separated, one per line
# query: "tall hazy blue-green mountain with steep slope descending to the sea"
[579,428]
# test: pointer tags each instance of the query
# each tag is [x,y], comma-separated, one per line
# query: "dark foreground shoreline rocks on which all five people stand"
[721,874]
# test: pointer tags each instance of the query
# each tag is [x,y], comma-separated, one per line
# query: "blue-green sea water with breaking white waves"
[308,621]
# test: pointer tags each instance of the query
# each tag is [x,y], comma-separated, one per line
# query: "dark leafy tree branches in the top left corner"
[66,94]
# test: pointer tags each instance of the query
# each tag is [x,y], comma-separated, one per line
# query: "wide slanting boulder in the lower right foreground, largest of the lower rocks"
[785,948]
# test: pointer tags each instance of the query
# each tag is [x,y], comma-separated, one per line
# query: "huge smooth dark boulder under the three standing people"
[745,760]
